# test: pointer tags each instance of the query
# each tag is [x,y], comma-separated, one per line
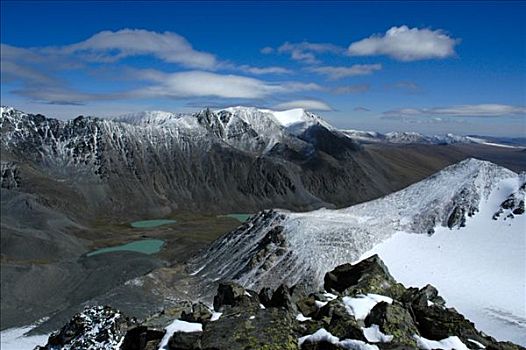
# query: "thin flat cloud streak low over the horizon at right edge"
[480,110]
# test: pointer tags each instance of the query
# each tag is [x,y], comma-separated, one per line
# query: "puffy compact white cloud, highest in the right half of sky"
[406,44]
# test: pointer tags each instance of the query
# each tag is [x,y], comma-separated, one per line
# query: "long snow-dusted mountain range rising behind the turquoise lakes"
[240,158]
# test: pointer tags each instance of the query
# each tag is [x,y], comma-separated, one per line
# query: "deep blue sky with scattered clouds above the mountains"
[419,66]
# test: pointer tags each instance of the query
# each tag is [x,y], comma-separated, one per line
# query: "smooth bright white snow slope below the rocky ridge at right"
[480,269]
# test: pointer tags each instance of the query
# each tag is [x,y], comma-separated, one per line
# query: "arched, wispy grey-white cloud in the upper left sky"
[109,46]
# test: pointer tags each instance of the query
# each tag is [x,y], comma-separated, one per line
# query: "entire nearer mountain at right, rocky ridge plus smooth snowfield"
[278,247]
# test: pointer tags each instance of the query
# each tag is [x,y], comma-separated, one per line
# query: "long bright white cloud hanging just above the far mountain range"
[206,84]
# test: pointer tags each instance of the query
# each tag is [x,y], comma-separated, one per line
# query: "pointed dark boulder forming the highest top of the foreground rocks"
[368,276]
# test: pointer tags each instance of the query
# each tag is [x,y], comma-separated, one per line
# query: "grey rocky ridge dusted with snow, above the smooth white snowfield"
[279,246]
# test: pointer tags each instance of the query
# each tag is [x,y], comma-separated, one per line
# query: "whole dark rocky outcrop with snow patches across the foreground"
[367,309]
